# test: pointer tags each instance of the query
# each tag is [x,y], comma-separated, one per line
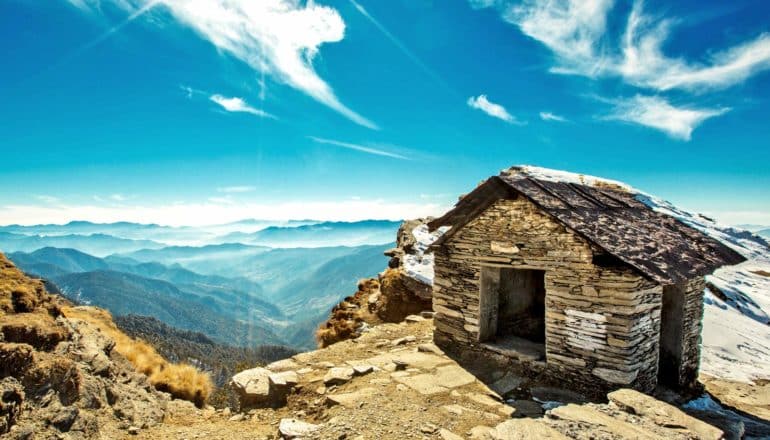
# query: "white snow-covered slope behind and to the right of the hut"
[736,325]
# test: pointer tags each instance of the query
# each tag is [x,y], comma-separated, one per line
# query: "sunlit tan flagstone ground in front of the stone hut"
[393,383]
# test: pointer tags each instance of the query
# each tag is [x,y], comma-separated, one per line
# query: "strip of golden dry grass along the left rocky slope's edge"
[182,381]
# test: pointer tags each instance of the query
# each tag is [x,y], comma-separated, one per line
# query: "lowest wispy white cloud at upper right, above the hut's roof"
[655,112]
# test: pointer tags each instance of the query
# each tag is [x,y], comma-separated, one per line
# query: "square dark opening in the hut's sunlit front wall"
[512,304]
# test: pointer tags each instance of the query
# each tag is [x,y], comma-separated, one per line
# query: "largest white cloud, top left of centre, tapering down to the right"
[280,38]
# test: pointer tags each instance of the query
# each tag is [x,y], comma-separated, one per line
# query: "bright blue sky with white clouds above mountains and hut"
[190,112]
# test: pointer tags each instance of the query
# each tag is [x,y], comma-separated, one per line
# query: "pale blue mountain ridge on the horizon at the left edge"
[94,244]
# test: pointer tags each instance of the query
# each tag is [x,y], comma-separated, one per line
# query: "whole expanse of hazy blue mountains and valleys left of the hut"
[236,293]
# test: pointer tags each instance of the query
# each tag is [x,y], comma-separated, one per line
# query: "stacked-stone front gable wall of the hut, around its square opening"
[602,323]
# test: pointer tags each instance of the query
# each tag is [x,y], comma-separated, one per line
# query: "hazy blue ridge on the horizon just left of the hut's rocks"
[321,234]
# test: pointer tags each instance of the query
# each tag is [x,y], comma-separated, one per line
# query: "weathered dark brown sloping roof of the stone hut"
[658,245]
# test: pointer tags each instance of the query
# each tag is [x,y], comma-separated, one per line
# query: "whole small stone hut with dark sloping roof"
[583,282]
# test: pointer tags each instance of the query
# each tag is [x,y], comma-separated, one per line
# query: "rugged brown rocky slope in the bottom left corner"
[60,377]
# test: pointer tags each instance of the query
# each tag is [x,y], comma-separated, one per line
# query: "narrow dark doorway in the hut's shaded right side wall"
[670,359]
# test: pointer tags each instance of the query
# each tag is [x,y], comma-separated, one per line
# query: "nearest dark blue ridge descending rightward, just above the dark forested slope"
[124,294]
